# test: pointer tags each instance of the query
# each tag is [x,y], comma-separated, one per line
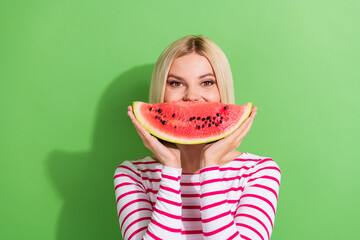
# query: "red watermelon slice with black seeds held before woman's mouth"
[191,122]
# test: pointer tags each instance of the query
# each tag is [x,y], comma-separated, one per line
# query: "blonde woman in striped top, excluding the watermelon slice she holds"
[202,191]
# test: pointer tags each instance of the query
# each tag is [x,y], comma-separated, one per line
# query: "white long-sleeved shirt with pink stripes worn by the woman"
[234,201]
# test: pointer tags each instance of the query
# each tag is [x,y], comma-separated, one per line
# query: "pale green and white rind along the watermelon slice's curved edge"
[163,136]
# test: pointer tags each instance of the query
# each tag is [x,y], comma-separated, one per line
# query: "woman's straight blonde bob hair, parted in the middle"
[186,45]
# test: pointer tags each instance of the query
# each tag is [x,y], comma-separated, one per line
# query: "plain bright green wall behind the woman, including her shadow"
[69,69]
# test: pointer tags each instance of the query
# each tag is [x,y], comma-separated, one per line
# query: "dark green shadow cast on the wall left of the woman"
[85,179]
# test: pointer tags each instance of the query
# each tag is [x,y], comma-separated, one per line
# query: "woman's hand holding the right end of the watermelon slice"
[213,153]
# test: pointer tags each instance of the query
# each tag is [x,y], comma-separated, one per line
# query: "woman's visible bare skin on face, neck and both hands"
[185,83]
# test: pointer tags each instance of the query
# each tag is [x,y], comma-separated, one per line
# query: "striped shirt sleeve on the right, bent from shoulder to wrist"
[255,214]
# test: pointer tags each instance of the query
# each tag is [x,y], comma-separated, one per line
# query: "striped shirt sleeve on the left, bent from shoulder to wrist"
[137,217]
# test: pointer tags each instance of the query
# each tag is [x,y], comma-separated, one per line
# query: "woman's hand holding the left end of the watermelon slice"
[168,154]
